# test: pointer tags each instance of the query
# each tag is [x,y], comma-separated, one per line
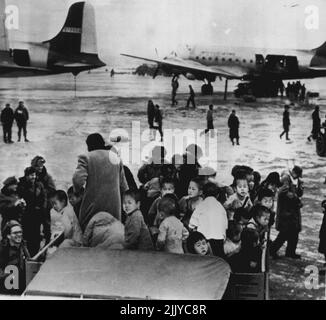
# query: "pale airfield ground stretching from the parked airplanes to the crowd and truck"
[60,123]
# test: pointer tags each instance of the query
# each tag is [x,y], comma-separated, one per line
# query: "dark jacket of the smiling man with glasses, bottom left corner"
[13,256]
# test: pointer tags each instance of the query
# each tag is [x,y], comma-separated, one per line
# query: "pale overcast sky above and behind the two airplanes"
[140,26]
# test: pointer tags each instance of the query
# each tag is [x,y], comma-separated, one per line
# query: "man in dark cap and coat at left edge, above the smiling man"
[11,206]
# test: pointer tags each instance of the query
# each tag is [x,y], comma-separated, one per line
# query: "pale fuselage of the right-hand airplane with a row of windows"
[252,63]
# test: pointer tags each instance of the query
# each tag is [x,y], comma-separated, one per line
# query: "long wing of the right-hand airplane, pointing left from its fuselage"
[190,66]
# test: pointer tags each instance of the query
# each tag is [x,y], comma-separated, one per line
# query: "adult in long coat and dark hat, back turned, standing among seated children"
[101,172]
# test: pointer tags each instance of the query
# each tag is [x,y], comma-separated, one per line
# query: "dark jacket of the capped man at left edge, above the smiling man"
[8,210]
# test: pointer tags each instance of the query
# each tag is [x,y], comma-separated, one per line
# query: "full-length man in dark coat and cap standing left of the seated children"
[35,213]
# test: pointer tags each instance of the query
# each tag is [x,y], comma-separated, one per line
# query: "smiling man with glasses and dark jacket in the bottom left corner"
[13,253]
